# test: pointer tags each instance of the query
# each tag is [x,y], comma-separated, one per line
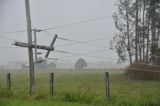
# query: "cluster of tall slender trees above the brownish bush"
[138,29]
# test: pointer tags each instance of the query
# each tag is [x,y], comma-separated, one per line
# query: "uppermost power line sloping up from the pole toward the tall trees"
[77,23]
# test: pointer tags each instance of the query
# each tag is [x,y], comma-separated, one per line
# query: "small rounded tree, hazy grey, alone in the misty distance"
[80,64]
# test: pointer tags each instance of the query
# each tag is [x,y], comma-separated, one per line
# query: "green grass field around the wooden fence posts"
[79,88]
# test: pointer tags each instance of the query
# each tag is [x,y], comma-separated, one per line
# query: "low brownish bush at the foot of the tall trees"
[141,71]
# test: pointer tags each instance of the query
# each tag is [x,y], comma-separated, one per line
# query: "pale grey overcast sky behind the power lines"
[53,13]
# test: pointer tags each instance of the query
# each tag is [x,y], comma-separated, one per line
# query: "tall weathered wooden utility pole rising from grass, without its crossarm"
[31,63]
